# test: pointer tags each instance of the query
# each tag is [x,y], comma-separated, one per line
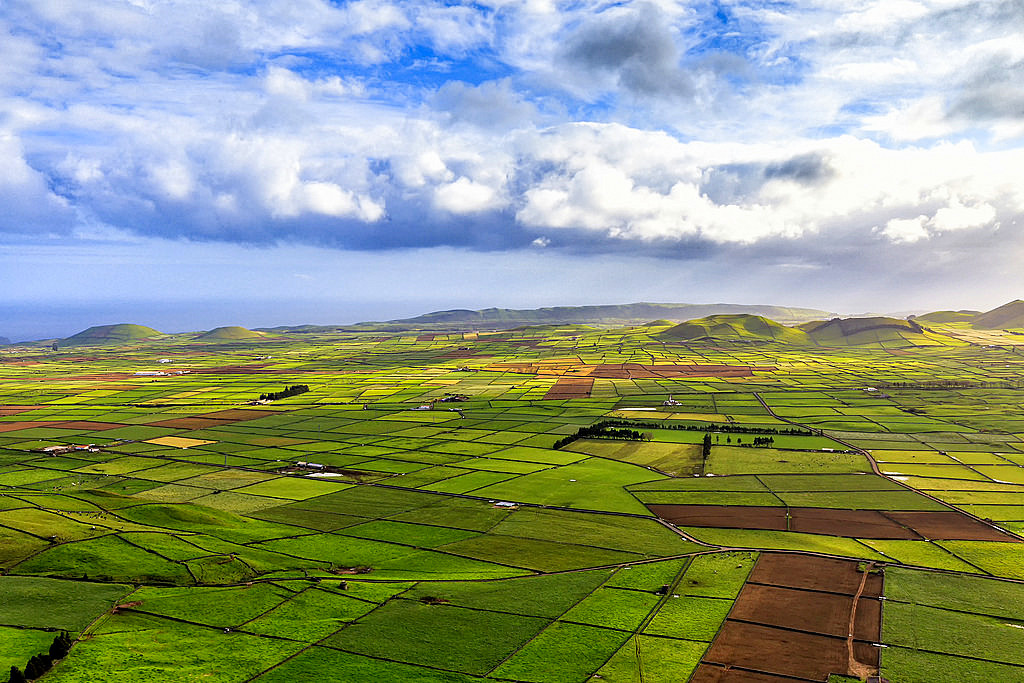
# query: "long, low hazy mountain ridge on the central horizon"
[632,314]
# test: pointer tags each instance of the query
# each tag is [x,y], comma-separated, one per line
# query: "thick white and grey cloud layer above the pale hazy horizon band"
[669,129]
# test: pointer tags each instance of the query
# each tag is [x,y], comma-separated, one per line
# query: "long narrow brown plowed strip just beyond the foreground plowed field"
[850,524]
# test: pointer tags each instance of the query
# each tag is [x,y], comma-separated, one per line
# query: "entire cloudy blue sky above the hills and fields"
[189,164]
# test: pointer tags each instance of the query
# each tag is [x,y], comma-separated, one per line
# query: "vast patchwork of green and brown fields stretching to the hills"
[788,507]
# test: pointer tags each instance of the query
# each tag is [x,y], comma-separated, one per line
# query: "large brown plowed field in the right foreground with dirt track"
[792,620]
